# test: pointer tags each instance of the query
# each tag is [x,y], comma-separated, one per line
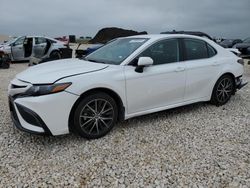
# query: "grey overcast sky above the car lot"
[222,18]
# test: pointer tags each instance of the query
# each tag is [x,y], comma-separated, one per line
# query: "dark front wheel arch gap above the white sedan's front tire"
[113,94]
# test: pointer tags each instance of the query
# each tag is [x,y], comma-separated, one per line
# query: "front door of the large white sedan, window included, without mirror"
[159,85]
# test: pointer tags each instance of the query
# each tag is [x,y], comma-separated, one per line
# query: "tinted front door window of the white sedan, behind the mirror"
[162,52]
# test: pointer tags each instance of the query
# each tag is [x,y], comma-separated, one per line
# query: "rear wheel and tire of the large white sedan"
[223,90]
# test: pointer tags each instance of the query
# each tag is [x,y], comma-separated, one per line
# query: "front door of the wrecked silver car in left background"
[17,49]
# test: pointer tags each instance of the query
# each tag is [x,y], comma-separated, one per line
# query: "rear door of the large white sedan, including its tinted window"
[201,68]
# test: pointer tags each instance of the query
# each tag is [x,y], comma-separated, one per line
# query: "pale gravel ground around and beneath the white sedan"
[198,145]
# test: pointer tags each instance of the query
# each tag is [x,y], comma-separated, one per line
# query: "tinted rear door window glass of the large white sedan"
[195,49]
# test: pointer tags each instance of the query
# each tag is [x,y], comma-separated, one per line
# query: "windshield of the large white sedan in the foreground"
[117,51]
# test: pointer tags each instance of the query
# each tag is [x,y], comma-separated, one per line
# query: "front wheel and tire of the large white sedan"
[95,115]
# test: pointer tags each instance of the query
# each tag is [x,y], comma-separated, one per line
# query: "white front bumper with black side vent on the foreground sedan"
[47,114]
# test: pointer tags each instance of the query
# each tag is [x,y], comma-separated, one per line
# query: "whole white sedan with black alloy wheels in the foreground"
[127,77]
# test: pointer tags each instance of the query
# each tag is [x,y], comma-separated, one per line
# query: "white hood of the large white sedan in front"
[53,71]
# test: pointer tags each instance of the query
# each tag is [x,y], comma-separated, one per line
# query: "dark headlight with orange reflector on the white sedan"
[37,90]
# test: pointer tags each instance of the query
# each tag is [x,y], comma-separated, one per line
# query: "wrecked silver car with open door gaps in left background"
[22,48]
